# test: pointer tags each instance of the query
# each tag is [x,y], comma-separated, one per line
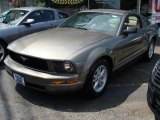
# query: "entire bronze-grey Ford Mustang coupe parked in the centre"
[82,52]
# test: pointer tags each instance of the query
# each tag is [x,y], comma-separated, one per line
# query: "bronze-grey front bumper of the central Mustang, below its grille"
[42,81]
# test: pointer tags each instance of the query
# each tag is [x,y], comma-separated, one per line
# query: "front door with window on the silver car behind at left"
[39,23]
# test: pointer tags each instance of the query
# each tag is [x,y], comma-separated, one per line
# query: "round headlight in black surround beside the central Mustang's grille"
[64,67]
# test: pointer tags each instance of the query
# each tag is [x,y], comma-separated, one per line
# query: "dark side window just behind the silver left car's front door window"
[48,15]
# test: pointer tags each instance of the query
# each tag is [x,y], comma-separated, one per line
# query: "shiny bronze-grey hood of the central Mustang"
[56,43]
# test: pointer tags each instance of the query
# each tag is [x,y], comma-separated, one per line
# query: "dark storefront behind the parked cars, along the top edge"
[73,6]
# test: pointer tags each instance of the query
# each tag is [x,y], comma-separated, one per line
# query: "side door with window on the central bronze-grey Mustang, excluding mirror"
[130,45]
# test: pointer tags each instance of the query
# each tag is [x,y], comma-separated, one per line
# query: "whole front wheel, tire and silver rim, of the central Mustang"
[96,82]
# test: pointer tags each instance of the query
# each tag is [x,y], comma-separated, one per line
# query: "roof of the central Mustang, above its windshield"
[114,11]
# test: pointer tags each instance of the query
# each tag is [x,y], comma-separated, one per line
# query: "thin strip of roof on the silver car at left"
[35,8]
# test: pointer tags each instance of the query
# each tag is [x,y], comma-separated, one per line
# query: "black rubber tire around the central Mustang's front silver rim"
[89,91]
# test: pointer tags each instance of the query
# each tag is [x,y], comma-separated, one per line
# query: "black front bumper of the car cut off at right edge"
[153,98]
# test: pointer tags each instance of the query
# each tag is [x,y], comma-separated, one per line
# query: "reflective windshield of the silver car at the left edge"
[12,17]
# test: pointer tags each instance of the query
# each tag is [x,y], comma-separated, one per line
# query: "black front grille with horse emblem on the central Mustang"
[30,62]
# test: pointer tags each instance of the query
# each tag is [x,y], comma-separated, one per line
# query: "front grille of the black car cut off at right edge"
[156,74]
